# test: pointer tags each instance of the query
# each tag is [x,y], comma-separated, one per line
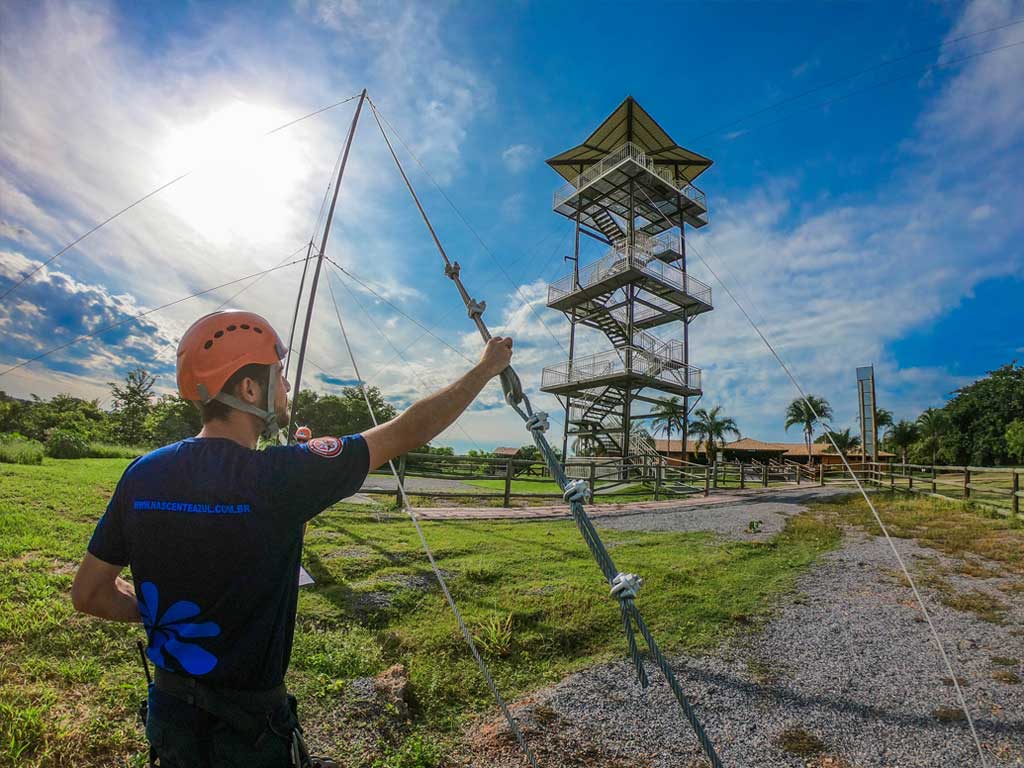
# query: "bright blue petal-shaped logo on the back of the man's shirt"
[172,632]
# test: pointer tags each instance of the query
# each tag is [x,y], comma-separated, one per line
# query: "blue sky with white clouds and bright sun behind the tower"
[883,228]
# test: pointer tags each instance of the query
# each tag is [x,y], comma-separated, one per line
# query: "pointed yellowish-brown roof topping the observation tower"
[630,122]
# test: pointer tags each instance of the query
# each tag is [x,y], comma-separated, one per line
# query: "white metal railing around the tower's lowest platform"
[669,368]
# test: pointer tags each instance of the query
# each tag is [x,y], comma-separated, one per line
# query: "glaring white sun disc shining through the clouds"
[244,183]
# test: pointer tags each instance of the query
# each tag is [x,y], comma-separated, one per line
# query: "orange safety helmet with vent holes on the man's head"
[218,346]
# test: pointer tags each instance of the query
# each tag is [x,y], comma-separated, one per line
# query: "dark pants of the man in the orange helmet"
[186,737]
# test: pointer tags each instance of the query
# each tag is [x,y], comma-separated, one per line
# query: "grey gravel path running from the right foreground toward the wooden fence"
[844,676]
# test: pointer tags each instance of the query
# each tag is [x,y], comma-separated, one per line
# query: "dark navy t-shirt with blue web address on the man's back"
[214,534]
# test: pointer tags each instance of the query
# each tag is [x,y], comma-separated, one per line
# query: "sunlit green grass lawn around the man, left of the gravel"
[530,591]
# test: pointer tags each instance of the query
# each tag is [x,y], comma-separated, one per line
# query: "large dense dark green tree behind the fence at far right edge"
[980,414]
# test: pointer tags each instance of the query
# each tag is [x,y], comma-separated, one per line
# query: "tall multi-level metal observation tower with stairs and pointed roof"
[630,188]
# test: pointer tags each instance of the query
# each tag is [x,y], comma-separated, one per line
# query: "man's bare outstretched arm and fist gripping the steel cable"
[426,419]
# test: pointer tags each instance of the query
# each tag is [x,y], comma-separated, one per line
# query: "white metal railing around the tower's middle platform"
[642,255]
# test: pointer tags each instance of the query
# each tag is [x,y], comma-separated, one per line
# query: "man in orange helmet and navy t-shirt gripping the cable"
[212,531]
